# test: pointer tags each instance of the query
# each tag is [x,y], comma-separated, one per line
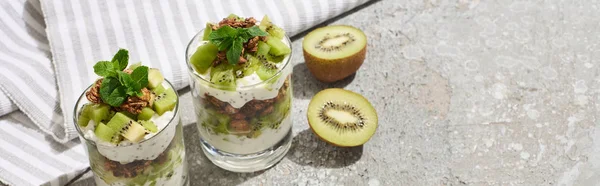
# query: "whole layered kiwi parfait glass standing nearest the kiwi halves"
[241,88]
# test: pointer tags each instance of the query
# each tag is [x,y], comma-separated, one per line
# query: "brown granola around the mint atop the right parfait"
[249,46]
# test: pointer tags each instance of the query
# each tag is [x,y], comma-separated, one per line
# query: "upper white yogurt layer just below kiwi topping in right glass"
[241,96]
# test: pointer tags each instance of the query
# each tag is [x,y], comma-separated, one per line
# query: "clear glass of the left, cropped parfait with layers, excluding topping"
[158,160]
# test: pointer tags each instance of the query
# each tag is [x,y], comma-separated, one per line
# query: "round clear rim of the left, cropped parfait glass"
[83,97]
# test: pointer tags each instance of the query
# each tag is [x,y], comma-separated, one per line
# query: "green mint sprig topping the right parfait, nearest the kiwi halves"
[233,39]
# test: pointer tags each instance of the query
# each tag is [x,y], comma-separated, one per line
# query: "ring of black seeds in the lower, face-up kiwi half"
[338,125]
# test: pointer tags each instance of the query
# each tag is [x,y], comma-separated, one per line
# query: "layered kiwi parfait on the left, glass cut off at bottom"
[136,139]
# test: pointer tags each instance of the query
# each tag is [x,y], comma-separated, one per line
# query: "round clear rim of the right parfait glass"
[245,87]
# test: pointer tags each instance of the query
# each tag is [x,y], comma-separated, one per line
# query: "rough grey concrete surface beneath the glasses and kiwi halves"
[467,92]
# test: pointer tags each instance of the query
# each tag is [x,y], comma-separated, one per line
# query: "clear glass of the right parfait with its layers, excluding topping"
[246,129]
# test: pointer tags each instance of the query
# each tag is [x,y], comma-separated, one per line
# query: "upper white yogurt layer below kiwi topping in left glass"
[148,149]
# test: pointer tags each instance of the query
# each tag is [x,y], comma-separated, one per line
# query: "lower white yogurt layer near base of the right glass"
[243,145]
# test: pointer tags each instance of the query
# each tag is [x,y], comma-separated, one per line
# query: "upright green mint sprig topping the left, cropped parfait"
[118,85]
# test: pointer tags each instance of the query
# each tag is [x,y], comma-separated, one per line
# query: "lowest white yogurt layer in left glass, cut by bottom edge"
[178,178]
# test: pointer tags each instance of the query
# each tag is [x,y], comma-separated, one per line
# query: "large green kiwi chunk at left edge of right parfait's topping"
[203,57]
